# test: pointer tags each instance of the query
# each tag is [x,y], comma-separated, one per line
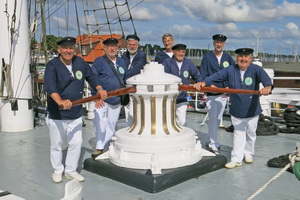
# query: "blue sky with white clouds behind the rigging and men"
[269,26]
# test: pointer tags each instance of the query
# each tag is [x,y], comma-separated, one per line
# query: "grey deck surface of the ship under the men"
[26,170]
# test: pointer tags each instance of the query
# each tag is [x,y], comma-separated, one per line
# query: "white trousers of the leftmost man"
[65,133]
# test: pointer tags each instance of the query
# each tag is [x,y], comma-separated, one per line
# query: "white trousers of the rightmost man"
[244,136]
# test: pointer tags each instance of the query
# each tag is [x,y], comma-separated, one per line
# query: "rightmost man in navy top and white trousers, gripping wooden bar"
[245,108]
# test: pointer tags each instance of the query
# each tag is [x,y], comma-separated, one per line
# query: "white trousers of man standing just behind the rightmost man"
[216,105]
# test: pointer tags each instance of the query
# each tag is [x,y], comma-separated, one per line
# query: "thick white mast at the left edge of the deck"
[15,107]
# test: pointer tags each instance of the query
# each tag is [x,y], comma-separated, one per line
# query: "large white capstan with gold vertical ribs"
[155,141]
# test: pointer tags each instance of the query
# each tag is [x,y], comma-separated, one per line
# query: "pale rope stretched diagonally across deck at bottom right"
[294,162]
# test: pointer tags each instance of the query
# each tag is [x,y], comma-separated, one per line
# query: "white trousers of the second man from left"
[105,124]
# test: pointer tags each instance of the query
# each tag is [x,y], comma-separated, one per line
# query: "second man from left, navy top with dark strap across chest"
[111,71]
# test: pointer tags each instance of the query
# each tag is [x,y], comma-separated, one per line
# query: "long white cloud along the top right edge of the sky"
[223,11]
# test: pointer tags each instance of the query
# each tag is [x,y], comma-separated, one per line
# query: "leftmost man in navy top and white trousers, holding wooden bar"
[65,76]
